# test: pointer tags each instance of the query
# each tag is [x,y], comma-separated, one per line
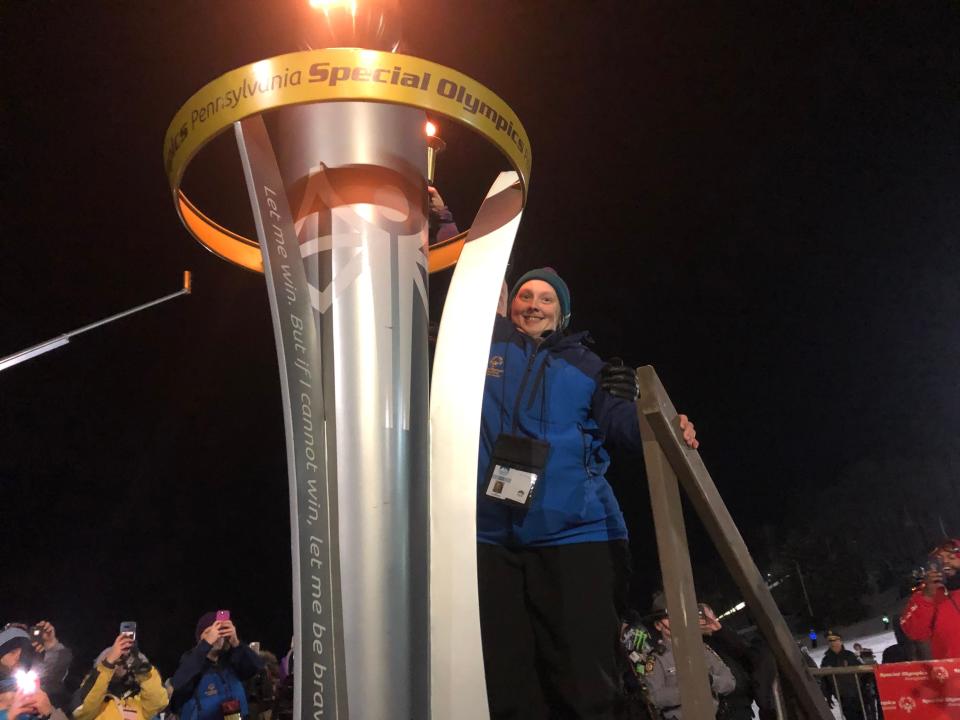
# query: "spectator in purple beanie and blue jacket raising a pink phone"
[208,684]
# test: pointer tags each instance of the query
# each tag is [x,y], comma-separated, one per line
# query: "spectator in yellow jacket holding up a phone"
[123,685]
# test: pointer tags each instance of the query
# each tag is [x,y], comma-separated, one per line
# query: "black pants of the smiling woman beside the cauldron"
[550,623]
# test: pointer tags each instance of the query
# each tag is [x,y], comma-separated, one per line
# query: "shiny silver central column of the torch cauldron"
[354,178]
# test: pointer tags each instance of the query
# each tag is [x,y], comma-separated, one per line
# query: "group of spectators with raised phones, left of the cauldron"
[219,678]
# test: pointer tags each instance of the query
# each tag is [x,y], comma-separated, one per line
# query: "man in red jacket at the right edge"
[933,612]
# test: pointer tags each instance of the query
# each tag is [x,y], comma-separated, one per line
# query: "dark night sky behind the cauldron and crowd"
[760,199]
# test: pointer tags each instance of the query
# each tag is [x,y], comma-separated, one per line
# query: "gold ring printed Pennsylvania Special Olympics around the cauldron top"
[325,76]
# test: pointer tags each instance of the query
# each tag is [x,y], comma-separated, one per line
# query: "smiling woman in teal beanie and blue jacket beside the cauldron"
[552,555]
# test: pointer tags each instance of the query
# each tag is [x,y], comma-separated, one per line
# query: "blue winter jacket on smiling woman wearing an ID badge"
[551,391]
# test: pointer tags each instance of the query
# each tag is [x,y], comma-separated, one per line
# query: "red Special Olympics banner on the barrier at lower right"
[923,690]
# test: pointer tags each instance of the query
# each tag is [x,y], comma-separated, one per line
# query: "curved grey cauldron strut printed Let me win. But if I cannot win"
[320,686]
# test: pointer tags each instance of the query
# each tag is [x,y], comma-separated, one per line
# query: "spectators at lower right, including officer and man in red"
[741,674]
